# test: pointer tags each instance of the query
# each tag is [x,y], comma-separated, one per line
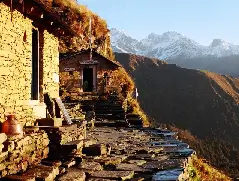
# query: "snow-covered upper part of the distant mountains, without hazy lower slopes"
[170,45]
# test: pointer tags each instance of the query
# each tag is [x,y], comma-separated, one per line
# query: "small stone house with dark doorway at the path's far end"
[79,73]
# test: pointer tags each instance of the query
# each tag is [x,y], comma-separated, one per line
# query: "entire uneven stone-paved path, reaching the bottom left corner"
[113,153]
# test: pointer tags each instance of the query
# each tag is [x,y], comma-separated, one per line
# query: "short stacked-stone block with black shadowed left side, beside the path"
[64,139]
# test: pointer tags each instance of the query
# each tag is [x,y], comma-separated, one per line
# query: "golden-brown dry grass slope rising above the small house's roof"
[77,17]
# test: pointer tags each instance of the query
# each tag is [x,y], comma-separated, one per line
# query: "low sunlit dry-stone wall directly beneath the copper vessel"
[21,152]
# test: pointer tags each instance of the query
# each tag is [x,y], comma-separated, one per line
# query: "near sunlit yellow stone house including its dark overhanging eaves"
[29,58]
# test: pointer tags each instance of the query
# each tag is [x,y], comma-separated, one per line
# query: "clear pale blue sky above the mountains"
[201,20]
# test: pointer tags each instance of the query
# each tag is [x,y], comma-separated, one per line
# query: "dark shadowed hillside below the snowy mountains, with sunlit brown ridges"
[200,105]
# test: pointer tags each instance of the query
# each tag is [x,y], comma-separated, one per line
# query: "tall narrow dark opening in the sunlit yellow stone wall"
[35,65]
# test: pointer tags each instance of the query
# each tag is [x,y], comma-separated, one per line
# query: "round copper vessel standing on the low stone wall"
[11,126]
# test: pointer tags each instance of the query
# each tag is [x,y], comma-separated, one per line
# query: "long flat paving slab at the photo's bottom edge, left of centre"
[122,175]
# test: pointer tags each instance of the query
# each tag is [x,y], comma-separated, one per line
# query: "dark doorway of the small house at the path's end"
[88,79]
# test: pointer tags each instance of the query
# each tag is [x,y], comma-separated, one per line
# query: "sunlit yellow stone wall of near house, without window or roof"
[16,66]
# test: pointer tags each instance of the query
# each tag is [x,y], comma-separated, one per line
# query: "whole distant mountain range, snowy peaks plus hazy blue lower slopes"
[220,56]
